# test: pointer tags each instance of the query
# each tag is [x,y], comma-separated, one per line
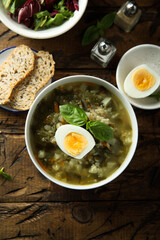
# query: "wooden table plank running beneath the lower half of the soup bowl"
[139,181]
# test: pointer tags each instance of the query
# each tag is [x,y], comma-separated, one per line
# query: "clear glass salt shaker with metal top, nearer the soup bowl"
[103,52]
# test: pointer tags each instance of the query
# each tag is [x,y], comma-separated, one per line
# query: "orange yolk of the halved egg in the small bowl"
[143,79]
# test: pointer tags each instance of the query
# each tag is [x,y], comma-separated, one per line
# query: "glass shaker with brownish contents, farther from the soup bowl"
[127,16]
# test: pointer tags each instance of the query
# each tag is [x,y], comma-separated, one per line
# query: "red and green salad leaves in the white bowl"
[41,14]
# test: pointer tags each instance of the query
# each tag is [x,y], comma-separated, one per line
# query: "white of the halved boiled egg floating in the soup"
[68,128]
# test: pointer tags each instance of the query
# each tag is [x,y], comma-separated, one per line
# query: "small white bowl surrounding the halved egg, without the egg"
[148,54]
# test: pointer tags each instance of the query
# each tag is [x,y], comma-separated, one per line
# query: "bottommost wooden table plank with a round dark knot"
[78,221]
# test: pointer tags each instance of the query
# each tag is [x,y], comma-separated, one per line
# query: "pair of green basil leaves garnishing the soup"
[77,116]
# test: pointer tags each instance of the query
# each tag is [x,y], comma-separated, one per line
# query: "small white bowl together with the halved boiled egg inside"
[138,76]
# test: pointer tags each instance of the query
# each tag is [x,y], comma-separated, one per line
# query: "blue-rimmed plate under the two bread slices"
[3,56]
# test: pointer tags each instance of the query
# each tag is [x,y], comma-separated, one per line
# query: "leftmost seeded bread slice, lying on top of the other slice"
[15,69]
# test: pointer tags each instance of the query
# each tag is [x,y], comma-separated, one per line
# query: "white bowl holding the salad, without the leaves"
[54,31]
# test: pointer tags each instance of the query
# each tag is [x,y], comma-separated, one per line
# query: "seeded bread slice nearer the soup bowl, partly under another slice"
[24,93]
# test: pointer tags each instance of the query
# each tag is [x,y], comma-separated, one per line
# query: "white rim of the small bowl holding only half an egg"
[141,106]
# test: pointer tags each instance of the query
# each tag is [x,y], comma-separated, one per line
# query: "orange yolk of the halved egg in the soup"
[75,143]
